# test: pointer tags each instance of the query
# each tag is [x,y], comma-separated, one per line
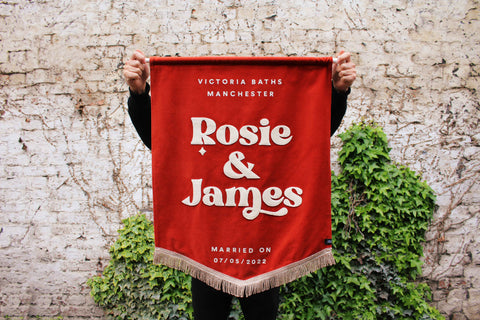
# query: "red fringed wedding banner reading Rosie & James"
[241,168]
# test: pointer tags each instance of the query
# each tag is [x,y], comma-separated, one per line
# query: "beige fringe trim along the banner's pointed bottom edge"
[244,288]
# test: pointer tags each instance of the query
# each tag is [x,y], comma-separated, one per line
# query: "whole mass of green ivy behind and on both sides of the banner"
[380,212]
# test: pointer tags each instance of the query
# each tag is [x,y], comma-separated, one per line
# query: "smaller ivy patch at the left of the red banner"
[132,287]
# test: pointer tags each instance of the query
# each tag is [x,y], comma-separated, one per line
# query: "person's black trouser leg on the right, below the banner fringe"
[261,306]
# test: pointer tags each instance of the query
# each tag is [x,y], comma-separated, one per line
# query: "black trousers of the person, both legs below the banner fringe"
[211,304]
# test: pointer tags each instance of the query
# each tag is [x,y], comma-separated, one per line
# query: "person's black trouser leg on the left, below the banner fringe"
[209,303]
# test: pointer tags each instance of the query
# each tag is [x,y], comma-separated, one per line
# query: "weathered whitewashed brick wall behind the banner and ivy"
[72,166]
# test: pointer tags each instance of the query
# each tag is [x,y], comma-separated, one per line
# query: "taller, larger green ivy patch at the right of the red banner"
[380,212]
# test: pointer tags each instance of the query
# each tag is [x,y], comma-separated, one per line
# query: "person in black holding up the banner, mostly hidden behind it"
[209,303]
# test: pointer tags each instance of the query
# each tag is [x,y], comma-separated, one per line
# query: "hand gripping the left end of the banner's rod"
[136,72]
